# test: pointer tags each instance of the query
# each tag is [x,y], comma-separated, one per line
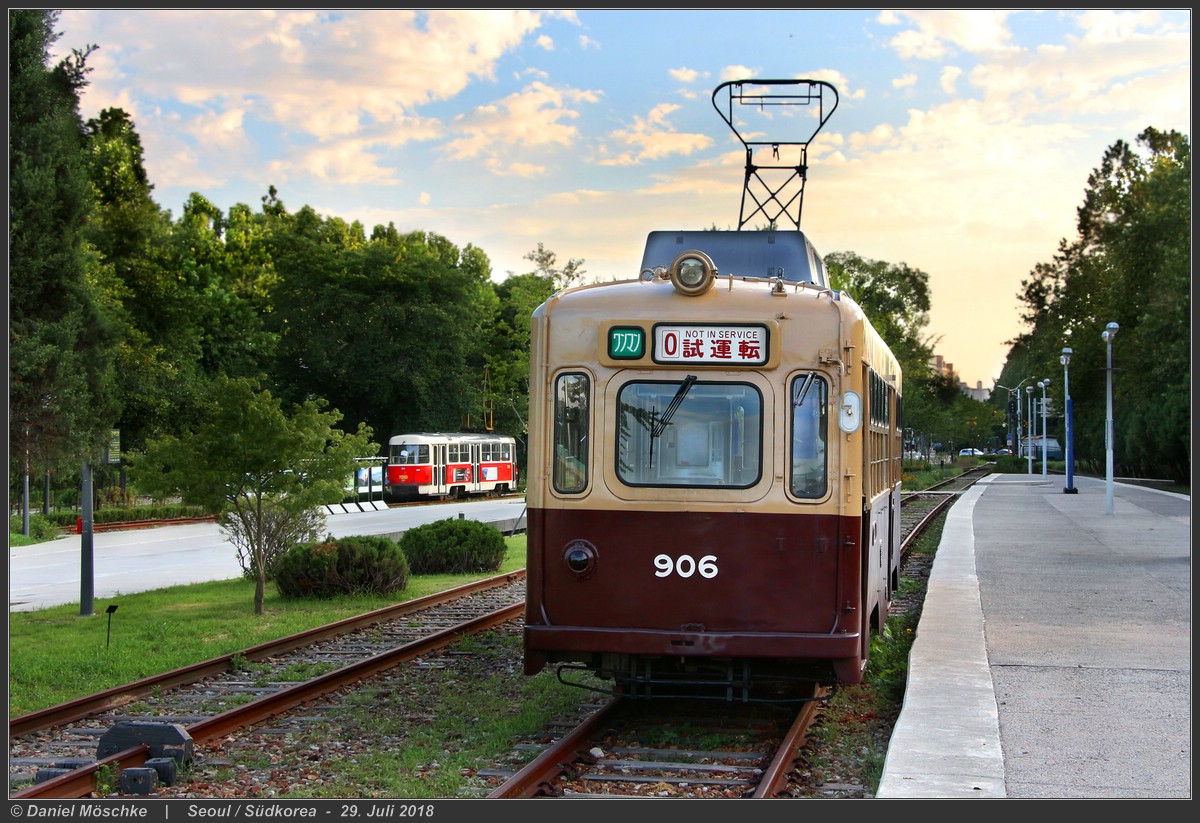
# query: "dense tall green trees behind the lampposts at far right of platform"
[1131,265]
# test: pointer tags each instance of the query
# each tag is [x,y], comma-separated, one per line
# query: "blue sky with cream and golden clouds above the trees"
[961,143]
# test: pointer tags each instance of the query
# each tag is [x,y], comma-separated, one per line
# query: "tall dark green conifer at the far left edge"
[62,399]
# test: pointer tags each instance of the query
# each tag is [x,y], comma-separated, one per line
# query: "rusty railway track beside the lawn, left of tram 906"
[65,746]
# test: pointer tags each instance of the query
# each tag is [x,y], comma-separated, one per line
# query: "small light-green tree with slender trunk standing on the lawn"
[249,461]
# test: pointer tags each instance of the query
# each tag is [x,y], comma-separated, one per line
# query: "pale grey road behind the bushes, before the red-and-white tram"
[51,574]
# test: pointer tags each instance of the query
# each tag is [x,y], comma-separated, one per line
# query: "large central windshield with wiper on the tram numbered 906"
[689,434]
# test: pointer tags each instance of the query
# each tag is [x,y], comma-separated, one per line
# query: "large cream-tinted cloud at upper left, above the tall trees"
[325,75]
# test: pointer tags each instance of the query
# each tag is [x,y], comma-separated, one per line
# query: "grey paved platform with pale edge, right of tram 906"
[1053,658]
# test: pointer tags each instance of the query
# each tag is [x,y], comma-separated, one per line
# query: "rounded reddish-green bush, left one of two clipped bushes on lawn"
[361,564]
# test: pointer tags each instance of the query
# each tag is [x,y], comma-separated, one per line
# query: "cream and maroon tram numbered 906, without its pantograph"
[715,472]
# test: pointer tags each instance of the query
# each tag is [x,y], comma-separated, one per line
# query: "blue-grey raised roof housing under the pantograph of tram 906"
[761,254]
